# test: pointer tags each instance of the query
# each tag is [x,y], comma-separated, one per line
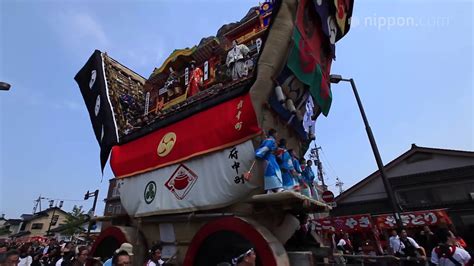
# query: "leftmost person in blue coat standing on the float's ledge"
[272,177]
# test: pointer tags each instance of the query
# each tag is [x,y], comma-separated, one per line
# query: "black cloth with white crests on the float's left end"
[92,82]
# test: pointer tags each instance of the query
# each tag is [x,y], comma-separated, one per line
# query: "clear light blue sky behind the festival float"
[411,60]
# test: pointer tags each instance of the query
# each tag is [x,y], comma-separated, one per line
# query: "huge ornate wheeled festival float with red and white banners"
[182,142]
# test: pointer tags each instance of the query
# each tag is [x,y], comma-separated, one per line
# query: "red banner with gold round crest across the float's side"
[216,128]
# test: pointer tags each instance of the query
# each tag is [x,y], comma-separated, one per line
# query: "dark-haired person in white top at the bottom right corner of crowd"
[447,254]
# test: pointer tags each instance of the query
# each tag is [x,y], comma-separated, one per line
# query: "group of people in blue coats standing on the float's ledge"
[284,170]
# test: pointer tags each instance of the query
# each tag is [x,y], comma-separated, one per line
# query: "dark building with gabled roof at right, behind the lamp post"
[421,179]
